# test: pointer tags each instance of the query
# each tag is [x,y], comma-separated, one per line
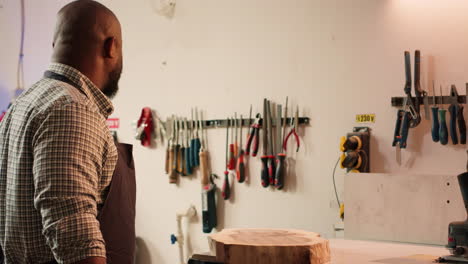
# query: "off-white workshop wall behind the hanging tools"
[333,58]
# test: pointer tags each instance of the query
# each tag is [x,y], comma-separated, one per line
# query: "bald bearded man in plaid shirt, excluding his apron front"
[57,157]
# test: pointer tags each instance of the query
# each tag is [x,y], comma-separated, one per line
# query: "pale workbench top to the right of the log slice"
[363,252]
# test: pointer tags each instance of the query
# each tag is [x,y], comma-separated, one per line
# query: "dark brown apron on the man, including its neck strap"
[117,216]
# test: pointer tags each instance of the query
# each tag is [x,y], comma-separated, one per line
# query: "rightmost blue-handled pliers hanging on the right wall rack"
[456,116]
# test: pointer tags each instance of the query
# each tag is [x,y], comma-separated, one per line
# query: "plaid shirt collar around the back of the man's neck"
[86,85]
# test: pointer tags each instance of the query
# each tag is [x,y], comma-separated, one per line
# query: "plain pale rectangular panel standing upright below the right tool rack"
[404,208]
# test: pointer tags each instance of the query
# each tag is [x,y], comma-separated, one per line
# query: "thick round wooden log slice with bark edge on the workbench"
[269,246]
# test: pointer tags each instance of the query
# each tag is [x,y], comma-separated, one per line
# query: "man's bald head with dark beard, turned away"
[88,37]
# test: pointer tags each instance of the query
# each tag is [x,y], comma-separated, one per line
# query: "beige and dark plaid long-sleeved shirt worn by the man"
[57,158]
